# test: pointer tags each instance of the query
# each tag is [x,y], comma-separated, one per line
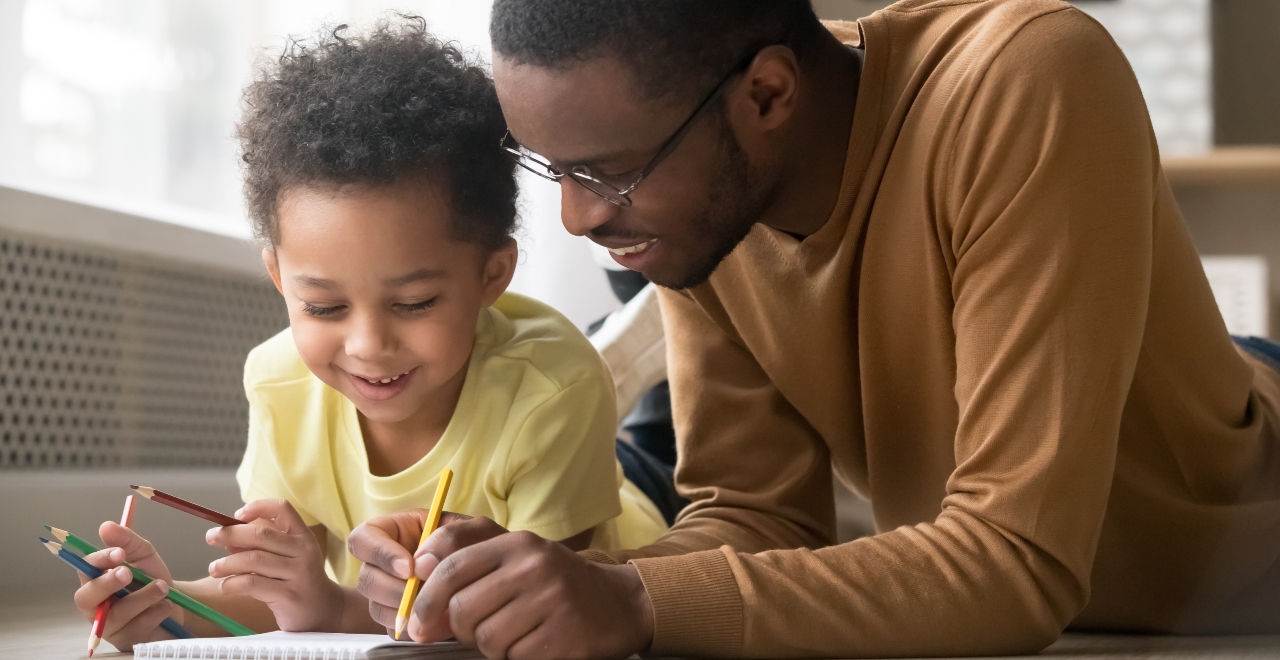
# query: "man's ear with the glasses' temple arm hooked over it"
[770,90]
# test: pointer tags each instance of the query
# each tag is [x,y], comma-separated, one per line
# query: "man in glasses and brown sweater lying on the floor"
[934,251]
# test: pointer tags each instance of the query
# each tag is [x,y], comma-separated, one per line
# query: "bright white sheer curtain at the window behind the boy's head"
[130,104]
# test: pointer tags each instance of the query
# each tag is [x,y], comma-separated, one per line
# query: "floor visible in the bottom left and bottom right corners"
[52,630]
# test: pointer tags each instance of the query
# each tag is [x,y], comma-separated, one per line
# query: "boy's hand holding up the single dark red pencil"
[278,562]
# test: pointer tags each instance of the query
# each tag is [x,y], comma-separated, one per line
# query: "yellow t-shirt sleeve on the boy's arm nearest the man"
[563,469]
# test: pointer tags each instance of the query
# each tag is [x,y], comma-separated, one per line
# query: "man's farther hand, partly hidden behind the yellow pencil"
[388,548]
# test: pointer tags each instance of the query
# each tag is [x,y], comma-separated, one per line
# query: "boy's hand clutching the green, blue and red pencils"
[138,618]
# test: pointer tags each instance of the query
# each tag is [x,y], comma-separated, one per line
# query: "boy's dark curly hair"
[372,109]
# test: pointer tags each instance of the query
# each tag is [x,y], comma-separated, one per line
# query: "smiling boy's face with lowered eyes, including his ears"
[383,301]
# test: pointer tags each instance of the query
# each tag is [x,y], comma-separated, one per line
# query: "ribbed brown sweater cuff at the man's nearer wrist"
[697,607]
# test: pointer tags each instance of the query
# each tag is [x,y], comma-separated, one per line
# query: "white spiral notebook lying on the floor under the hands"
[304,647]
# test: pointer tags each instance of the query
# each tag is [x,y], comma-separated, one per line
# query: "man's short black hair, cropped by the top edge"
[673,47]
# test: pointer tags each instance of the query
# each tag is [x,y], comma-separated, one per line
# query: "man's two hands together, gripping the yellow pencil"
[513,595]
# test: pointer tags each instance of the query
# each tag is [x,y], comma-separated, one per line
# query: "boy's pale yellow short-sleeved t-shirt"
[532,442]
